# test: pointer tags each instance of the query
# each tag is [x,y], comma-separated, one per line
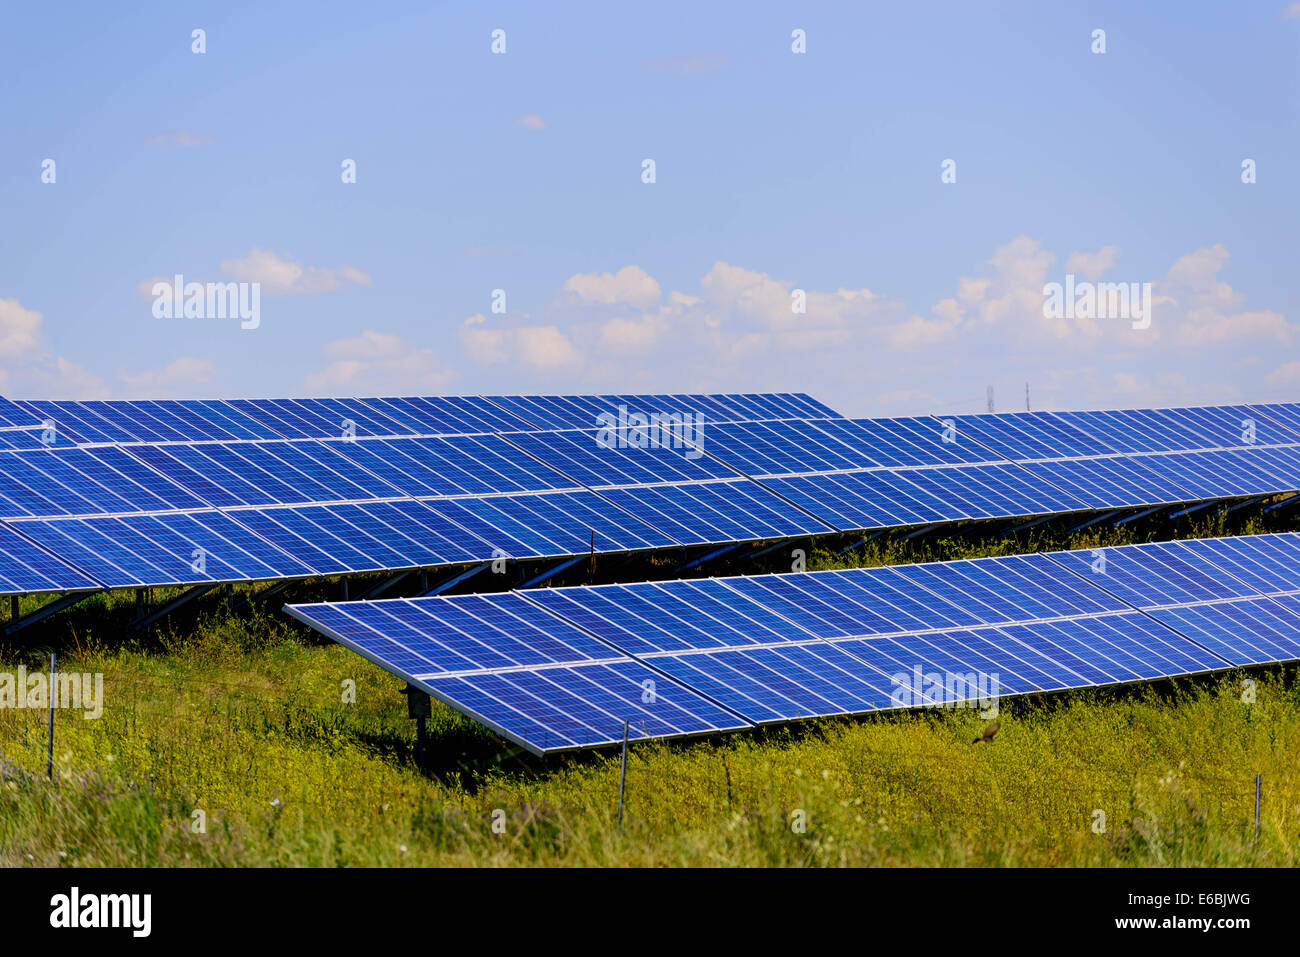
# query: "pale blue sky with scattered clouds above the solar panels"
[775,172]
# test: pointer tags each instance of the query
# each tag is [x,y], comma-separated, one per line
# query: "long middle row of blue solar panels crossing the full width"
[174,514]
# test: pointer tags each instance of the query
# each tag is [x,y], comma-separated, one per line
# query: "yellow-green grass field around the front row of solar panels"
[232,744]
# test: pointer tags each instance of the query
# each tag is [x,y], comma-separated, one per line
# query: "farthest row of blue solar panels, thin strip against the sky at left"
[32,425]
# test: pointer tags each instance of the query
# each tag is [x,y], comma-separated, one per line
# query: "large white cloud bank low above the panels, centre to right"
[739,331]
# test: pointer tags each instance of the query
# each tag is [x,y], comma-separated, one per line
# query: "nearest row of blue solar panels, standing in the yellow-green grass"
[564,669]
